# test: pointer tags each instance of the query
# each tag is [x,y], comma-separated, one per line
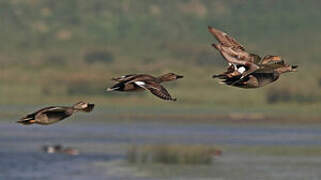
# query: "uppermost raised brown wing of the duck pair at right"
[225,39]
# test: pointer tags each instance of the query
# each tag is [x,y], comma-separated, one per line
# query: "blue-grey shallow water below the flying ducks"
[106,143]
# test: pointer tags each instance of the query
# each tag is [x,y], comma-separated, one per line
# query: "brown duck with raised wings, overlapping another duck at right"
[240,61]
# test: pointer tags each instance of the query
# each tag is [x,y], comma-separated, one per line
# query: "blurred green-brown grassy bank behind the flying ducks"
[59,52]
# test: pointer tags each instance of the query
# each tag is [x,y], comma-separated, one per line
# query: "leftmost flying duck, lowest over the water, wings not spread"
[53,114]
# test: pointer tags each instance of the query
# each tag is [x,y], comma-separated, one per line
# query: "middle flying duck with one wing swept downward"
[135,82]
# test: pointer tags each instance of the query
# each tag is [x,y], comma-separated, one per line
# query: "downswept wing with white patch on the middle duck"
[156,89]
